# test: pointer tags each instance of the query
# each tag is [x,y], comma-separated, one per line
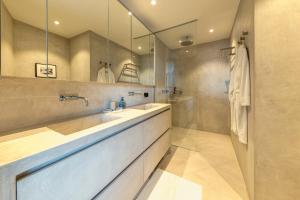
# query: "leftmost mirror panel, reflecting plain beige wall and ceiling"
[23,37]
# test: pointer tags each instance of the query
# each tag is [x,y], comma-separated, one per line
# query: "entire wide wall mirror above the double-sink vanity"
[75,40]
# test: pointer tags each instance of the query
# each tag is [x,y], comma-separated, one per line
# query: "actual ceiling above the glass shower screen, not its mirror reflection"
[211,14]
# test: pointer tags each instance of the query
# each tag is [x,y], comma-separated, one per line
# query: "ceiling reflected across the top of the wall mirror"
[77,16]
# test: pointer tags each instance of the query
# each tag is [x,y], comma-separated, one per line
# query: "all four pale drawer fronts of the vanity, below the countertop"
[115,168]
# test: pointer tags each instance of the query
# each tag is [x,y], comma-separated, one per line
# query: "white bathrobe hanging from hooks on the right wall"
[239,94]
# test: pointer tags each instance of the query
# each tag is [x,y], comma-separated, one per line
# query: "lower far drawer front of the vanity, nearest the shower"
[155,153]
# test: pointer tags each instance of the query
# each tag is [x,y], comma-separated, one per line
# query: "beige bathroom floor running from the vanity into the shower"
[202,158]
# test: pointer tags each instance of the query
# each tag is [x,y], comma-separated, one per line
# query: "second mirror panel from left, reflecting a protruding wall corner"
[77,38]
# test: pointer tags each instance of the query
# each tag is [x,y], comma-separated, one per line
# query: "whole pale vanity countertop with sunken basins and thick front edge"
[25,149]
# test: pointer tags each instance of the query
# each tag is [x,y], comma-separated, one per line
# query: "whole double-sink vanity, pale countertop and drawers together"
[103,156]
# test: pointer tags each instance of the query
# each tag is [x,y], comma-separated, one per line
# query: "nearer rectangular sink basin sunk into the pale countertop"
[75,125]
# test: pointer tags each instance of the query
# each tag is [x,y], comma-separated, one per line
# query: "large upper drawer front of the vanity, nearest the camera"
[82,175]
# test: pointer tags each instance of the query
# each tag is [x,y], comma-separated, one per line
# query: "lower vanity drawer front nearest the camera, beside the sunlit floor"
[127,185]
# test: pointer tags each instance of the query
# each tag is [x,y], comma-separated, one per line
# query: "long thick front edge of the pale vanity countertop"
[74,145]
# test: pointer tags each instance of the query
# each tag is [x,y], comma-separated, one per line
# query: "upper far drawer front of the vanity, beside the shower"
[155,127]
